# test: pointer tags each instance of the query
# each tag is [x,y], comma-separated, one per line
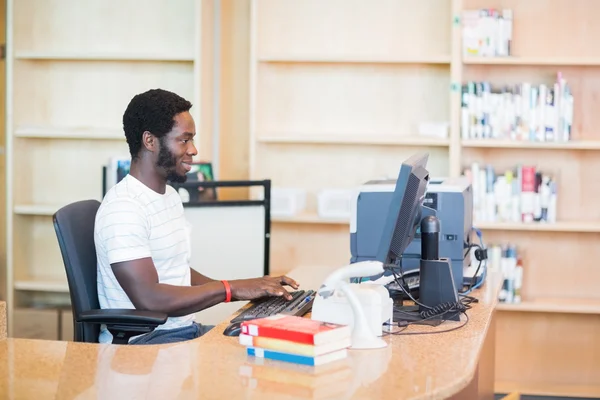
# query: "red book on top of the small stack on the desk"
[296,329]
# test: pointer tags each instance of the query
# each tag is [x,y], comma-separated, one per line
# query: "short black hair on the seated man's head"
[153,111]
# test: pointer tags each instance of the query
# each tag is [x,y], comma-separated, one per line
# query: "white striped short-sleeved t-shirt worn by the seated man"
[136,222]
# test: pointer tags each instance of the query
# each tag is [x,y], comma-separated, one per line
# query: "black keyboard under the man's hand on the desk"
[300,304]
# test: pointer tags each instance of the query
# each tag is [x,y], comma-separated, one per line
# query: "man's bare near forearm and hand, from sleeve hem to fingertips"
[139,280]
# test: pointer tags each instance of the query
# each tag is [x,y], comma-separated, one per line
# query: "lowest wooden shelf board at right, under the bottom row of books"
[564,306]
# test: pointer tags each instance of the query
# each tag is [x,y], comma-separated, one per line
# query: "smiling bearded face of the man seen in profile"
[177,149]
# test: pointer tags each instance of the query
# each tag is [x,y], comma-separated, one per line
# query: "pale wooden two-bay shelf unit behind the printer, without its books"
[337,93]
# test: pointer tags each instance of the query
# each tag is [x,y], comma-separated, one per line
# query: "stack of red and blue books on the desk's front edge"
[295,339]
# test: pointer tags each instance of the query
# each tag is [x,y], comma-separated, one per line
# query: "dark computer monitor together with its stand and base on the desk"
[406,216]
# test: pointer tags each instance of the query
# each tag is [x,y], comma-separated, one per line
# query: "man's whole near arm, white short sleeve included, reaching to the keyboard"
[123,231]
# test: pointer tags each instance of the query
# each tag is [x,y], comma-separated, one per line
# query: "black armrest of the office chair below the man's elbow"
[128,317]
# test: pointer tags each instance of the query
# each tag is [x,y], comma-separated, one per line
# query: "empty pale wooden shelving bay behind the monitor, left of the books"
[337,101]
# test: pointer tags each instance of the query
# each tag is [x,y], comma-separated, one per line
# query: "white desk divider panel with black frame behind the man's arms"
[229,240]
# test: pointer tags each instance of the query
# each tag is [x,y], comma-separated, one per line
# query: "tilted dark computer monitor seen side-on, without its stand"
[404,215]
